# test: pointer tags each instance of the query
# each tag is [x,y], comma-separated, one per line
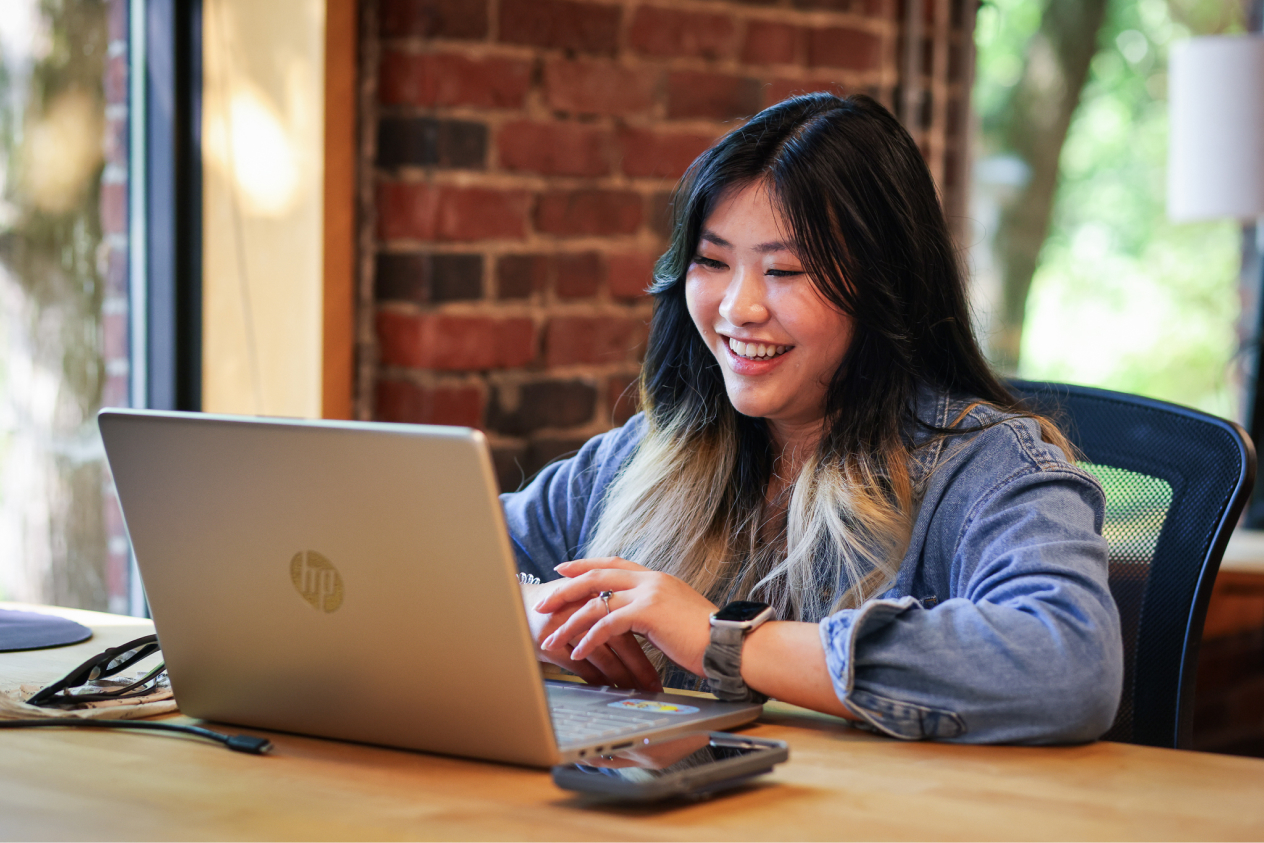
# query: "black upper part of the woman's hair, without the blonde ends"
[870,232]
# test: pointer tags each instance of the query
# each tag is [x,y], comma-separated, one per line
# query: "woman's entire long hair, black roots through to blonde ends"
[869,229]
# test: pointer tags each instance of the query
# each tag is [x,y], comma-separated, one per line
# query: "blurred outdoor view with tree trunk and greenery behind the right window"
[1079,274]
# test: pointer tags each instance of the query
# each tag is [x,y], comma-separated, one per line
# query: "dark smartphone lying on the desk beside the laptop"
[693,765]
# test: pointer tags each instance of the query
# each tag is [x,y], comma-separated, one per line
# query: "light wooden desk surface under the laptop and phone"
[840,784]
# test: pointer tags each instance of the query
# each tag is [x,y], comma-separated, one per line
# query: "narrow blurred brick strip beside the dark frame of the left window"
[114,308]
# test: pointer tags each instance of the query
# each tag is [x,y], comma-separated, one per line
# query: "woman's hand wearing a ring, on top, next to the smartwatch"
[663,609]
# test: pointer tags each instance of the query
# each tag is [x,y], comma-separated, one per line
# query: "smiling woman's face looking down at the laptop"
[778,342]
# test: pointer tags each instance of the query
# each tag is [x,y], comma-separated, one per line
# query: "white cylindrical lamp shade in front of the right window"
[1217,124]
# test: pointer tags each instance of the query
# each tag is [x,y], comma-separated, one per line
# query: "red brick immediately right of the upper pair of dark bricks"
[556,149]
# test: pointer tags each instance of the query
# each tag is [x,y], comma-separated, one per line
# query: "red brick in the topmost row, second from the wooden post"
[562,25]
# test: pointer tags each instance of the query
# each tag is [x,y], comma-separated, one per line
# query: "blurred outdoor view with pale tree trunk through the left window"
[55,261]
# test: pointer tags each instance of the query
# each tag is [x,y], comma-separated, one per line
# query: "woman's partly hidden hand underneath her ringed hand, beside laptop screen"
[621,663]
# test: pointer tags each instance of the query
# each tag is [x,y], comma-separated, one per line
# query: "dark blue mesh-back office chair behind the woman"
[1176,483]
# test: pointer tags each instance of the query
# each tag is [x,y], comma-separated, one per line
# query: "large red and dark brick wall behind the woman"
[516,164]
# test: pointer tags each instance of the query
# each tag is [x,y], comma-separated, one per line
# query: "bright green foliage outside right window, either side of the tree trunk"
[1122,298]
